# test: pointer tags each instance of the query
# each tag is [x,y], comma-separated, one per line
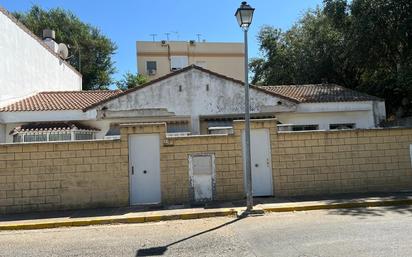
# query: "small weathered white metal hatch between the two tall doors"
[201,173]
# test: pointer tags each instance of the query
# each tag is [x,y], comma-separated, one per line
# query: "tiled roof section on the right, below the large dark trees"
[319,93]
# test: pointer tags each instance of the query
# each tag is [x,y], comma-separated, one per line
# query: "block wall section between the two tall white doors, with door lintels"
[174,159]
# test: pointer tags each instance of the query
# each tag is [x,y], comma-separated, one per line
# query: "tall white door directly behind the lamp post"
[261,162]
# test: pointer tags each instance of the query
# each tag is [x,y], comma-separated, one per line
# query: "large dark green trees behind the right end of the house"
[361,44]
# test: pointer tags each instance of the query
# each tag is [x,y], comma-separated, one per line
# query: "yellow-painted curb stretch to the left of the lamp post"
[105,221]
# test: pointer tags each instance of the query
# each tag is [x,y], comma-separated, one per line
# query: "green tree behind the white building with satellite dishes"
[91,51]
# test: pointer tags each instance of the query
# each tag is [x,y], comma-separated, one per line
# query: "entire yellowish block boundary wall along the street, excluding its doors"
[67,175]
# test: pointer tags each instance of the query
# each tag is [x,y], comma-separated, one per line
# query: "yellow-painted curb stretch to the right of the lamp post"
[347,205]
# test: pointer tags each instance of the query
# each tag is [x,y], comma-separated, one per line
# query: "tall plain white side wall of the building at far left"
[28,65]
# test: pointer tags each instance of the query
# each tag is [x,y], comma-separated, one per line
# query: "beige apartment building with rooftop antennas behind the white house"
[158,58]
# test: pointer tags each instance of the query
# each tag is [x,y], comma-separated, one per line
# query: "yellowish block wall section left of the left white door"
[55,176]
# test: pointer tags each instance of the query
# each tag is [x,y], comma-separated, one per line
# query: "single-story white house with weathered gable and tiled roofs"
[192,100]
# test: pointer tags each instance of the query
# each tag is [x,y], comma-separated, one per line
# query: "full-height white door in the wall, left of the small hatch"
[144,169]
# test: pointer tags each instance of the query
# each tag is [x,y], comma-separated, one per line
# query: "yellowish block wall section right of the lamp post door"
[327,162]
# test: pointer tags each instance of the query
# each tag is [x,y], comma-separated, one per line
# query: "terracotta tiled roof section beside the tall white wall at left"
[60,101]
